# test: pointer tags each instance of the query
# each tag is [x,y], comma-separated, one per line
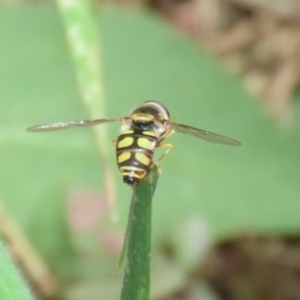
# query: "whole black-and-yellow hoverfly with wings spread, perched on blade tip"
[142,131]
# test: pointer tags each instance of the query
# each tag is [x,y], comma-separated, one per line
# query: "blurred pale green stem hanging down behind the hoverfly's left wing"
[83,36]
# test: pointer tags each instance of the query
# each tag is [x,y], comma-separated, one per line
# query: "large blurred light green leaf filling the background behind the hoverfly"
[252,188]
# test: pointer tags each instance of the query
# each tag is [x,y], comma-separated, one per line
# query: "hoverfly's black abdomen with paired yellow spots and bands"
[134,154]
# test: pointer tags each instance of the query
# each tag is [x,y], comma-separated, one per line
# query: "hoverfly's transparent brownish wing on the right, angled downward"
[205,135]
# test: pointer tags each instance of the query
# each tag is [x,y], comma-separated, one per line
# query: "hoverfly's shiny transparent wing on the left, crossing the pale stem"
[69,124]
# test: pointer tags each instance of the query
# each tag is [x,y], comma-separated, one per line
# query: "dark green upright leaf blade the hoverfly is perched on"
[136,282]
